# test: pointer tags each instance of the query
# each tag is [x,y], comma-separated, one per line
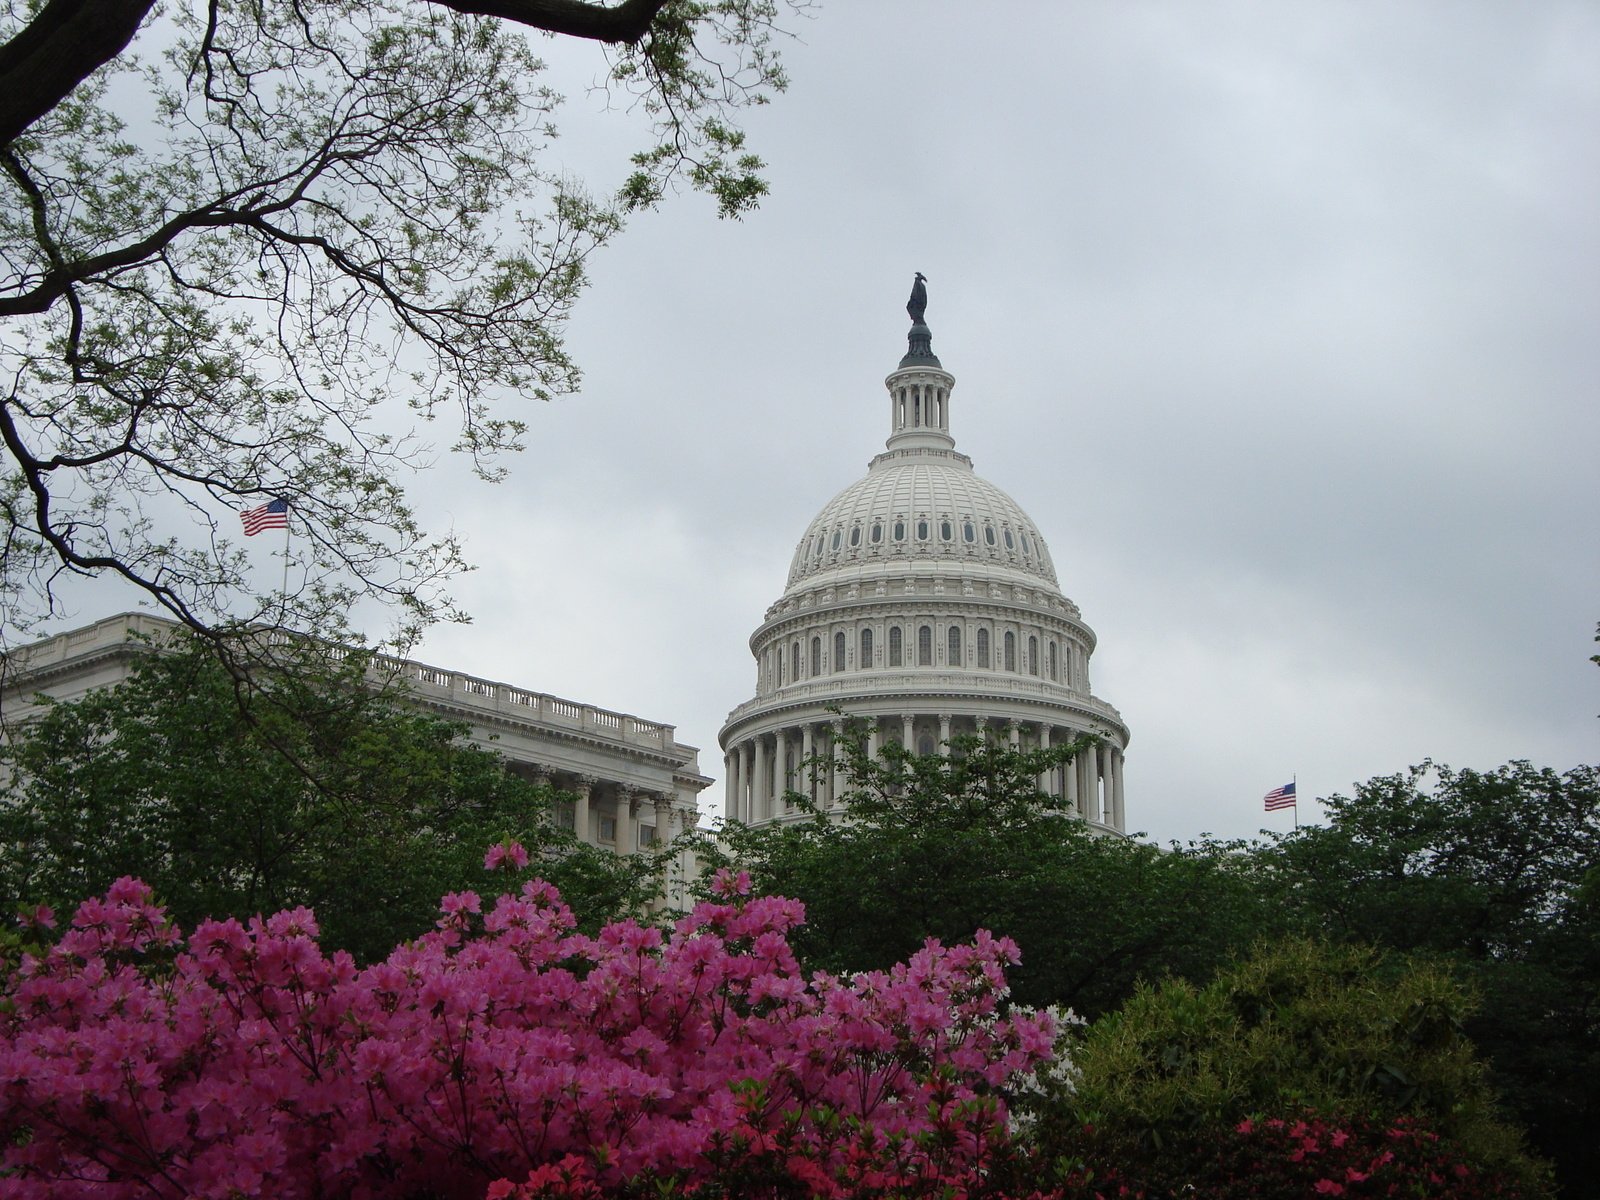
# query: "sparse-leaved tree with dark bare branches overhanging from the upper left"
[242,236]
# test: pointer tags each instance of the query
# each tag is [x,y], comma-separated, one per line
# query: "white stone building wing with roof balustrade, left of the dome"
[633,782]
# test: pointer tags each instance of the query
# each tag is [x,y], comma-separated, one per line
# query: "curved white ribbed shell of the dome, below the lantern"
[921,506]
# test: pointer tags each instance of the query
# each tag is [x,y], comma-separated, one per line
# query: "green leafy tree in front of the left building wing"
[308,790]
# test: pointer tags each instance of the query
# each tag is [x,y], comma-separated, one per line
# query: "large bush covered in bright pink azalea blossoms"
[244,1062]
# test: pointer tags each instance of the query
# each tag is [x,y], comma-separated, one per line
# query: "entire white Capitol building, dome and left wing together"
[922,601]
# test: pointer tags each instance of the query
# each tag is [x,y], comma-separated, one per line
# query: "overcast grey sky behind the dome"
[1281,321]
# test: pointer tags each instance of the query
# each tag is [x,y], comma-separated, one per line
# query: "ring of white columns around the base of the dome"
[759,770]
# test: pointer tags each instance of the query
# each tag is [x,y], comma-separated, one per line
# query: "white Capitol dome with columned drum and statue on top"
[922,601]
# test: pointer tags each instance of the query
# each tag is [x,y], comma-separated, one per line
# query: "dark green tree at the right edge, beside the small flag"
[1497,874]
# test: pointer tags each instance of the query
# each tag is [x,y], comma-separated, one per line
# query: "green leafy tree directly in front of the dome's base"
[938,847]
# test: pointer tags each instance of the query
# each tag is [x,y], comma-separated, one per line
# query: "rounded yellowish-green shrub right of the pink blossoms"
[1298,1026]
